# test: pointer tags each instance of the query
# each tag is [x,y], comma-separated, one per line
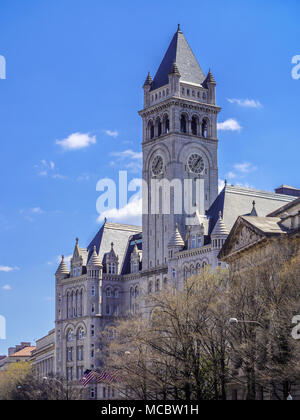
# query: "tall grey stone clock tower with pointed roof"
[180,145]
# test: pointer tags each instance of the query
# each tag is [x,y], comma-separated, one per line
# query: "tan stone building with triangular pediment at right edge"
[253,240]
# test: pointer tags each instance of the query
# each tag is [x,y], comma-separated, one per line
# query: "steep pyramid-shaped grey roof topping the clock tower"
[179,52]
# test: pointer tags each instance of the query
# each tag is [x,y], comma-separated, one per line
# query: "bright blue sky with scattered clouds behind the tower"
[76,68]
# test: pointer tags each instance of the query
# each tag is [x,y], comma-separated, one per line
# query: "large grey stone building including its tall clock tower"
[108,277]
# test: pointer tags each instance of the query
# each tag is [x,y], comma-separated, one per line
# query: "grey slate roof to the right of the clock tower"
[235,201]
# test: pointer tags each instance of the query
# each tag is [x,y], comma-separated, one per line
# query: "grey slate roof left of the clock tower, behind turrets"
[116,233]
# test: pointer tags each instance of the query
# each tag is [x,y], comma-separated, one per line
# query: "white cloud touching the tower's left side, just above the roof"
[131,213]
